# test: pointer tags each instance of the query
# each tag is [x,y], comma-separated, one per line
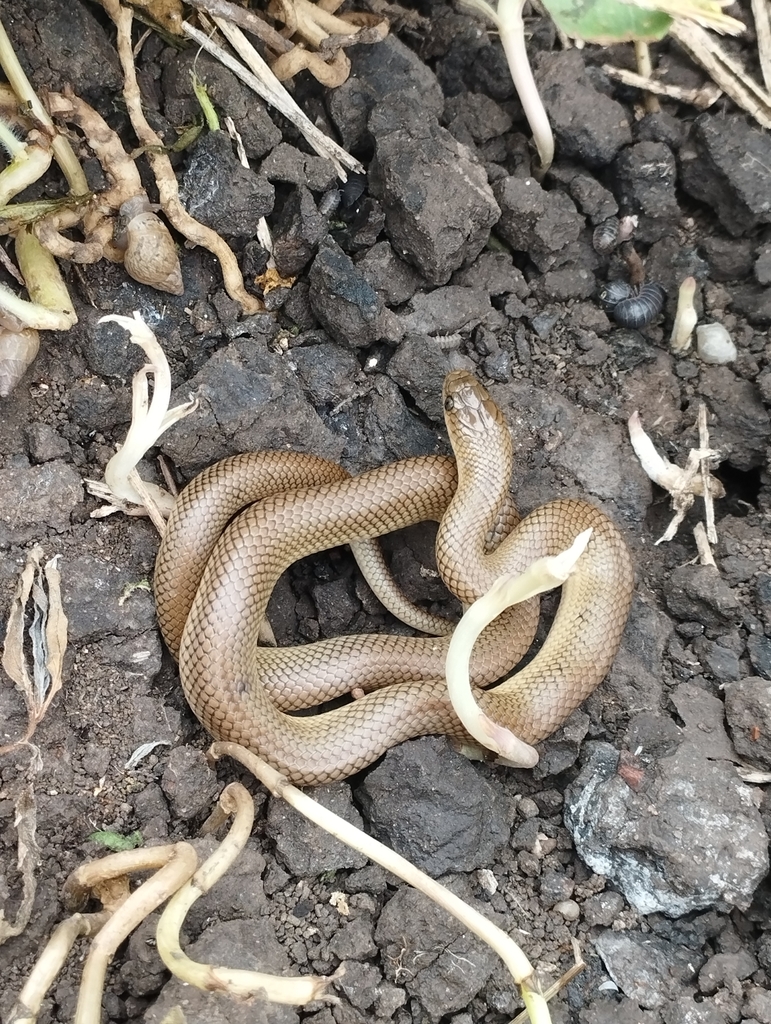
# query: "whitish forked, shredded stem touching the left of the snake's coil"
[149,420]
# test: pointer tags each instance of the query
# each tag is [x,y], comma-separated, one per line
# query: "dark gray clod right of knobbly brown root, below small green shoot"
[220,192]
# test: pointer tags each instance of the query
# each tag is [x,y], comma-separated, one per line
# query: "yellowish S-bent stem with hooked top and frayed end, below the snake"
[244,985]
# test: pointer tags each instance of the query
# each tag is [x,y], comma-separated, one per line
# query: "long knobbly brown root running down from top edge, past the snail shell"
[168,191]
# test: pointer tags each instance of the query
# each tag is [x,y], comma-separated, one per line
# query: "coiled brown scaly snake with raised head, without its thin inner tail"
[213,582]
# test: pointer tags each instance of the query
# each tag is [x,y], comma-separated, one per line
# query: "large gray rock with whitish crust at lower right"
[689,835]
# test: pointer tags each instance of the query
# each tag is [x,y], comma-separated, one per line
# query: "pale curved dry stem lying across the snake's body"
[543,575]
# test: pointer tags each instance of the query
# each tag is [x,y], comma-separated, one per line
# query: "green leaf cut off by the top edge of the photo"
[608,22]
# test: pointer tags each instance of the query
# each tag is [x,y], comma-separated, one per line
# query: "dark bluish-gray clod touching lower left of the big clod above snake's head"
[345,303]
